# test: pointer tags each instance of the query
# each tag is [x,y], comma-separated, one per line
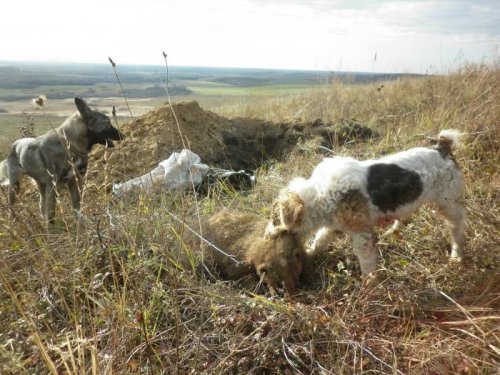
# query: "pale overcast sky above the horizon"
[414,36]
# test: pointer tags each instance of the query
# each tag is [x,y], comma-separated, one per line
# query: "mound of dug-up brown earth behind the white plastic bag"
[238,143]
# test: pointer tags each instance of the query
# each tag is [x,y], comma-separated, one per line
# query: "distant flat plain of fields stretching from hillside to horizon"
[144,87]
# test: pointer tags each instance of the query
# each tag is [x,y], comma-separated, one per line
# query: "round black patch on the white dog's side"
[390,186]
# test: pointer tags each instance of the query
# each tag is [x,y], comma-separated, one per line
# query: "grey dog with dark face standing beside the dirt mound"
[58,158]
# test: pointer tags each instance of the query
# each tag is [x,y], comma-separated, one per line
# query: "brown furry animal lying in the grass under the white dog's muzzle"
[241,235]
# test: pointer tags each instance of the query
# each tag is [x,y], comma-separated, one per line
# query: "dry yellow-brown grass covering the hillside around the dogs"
[108,295]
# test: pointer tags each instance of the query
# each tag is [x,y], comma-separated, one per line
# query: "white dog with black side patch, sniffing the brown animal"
[351,196]
